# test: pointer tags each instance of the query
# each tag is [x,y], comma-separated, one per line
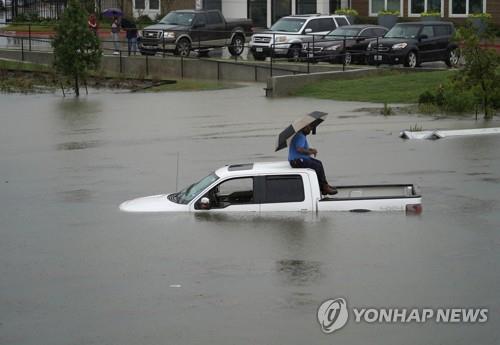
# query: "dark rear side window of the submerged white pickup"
[284,188]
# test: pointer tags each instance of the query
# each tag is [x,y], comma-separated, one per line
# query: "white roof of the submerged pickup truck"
[256,168]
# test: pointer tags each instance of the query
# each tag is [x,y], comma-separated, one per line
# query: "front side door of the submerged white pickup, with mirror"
[231,195]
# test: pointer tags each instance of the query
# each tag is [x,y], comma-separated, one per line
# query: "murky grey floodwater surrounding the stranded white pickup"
[75,270]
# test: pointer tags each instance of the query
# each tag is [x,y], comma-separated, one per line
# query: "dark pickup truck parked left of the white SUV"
[182,31]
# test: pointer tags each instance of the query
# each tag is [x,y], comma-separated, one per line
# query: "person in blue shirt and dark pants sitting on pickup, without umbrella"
[299,156]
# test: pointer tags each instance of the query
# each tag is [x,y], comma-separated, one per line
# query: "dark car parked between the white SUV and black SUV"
[345,44]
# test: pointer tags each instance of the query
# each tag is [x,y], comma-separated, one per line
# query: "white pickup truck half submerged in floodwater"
[275,187]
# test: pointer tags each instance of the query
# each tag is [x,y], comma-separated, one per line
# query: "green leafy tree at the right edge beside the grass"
[481,70]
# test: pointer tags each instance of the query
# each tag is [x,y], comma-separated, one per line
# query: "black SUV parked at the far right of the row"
[414,43]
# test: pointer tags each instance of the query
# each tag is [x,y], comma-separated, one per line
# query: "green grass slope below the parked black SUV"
[395,87]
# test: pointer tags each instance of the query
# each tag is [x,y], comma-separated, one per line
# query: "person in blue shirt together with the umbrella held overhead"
[299,152]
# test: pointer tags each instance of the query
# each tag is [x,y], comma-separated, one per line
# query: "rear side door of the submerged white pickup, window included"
[284,193]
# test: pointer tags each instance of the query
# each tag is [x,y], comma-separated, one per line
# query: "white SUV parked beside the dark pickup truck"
[286,36]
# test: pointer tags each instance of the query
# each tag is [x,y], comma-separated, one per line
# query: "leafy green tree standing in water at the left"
[76,48]
